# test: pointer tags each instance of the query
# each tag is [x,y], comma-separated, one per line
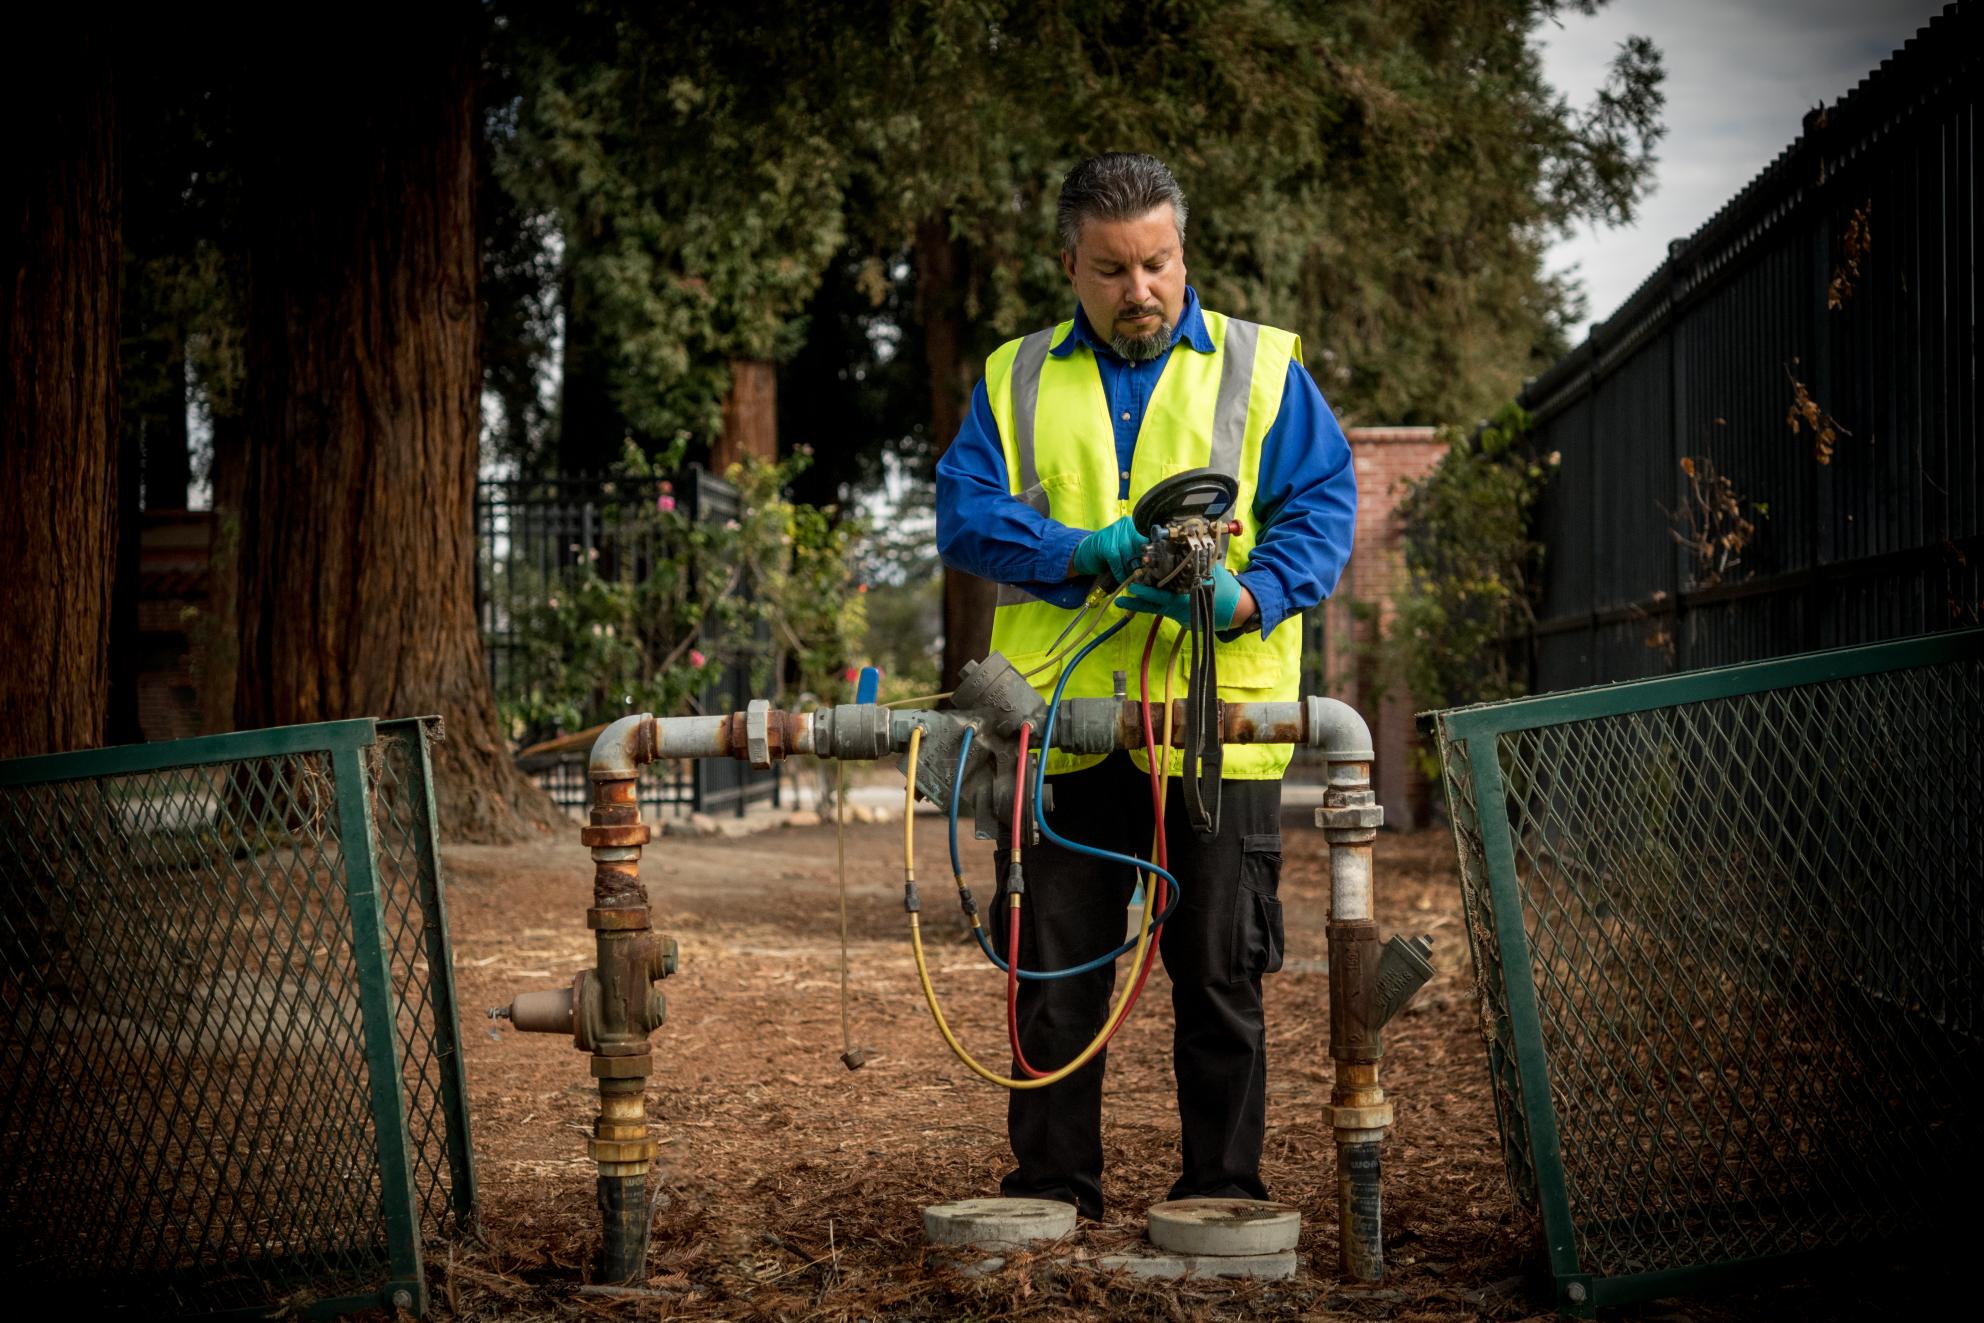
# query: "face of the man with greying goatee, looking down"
[1130,277]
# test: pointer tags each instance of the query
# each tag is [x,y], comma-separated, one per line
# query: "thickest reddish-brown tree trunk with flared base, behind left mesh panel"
[364,386]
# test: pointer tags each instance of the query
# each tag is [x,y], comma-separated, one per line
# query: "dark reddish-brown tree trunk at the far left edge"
[59,392]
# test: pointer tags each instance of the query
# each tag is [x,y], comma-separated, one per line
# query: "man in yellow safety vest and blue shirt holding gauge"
[1066,431]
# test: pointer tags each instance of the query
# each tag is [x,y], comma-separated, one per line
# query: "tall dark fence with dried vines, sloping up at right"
[1810,354]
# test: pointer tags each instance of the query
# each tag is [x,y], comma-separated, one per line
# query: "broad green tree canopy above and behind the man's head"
[1378,176]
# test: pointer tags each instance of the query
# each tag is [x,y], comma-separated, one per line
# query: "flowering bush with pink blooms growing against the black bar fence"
[640,636]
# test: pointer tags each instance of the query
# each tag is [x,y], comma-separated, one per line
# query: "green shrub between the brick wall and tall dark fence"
[1471,566]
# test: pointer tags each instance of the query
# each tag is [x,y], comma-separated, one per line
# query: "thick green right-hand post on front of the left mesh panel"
[398,1201]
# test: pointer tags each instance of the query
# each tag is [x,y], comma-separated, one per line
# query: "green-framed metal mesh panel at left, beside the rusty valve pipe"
[229,1048]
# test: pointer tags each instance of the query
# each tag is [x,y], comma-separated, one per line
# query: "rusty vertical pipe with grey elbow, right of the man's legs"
[1358,1108]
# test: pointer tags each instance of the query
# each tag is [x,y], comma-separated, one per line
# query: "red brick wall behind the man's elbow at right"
[1362,608]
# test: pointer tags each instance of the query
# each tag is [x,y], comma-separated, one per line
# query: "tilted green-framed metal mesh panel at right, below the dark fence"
[1729,941]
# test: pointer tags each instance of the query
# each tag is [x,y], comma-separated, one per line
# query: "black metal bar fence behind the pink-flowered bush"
[537,535]
